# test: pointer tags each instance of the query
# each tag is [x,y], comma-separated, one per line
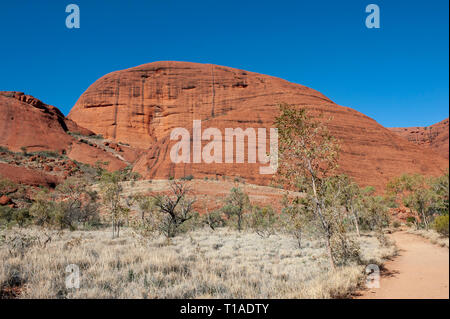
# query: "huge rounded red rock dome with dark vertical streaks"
[142,105]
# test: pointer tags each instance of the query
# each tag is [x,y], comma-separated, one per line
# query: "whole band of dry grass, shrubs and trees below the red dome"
[157,245]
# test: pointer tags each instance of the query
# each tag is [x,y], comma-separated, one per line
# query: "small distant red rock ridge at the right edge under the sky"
[434,136]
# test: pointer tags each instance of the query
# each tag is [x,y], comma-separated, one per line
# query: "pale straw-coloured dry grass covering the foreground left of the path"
[200,264]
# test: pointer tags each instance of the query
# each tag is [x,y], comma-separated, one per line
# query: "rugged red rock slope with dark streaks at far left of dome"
[27,124]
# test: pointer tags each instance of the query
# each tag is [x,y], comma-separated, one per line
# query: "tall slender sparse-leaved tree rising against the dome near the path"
[307,156]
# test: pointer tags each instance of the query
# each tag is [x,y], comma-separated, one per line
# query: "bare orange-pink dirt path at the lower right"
[420,271]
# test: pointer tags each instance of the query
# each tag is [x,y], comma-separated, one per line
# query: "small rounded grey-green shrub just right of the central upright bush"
[263,221]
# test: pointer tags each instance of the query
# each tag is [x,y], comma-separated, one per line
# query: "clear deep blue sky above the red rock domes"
[397,74]
